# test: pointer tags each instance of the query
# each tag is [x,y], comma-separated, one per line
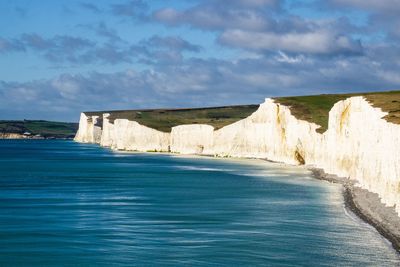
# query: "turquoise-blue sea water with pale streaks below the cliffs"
[69,204]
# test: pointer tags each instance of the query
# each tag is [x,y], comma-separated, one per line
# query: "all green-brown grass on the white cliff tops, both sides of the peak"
[314,108]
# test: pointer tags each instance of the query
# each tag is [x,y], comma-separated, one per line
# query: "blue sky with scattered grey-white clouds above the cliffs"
[61,57]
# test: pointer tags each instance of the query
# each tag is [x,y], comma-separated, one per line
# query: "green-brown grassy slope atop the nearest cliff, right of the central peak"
[316,108]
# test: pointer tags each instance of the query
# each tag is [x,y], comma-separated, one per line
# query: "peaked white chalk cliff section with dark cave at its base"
[271,132]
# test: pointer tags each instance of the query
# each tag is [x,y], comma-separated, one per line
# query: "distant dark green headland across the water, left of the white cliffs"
[44,128]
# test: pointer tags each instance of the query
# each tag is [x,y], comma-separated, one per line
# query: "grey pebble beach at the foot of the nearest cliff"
[367,206]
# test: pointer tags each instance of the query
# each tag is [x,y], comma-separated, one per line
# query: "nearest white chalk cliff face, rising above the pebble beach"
[359,144]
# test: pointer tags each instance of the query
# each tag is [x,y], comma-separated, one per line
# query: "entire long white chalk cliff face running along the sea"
[359,143]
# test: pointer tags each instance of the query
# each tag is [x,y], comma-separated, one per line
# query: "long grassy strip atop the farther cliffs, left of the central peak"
[164,119]
